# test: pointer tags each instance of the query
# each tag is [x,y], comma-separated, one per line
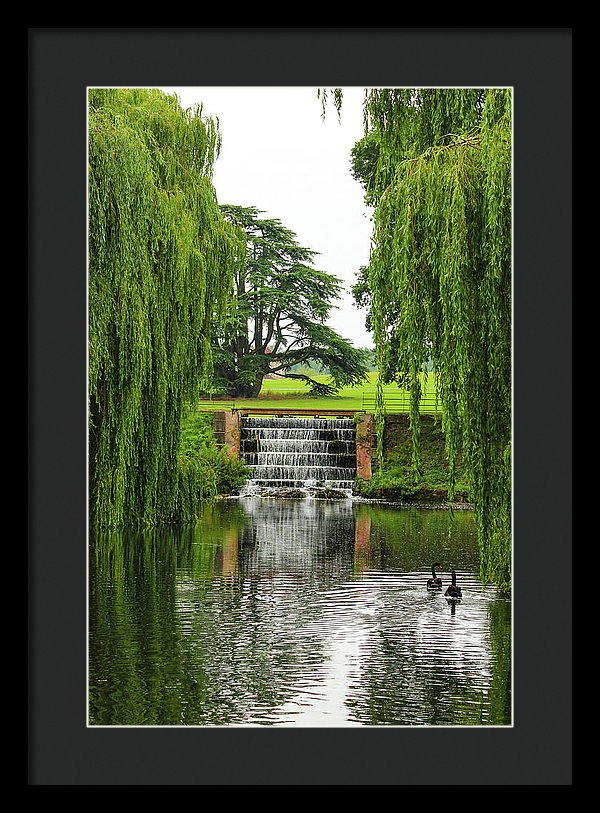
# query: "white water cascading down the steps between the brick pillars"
[299,453]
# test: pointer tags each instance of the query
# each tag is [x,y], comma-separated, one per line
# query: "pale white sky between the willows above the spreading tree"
[279,155]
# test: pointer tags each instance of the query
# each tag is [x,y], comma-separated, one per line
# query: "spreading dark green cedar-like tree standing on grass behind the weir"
[277,320]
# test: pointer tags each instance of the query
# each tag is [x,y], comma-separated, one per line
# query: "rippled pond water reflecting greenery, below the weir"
[296,612]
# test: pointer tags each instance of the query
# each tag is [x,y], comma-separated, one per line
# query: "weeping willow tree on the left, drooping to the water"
[161,264]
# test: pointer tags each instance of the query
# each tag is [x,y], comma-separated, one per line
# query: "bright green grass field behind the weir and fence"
[284,393]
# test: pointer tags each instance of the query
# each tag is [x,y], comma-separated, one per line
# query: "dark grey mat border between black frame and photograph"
[537,63]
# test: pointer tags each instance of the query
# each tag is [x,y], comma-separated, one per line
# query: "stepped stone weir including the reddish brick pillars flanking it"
[291,452]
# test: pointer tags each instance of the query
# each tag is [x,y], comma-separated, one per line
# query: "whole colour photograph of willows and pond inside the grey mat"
[300,392]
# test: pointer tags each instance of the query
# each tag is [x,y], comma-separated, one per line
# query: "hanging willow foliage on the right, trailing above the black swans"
[440,279]
